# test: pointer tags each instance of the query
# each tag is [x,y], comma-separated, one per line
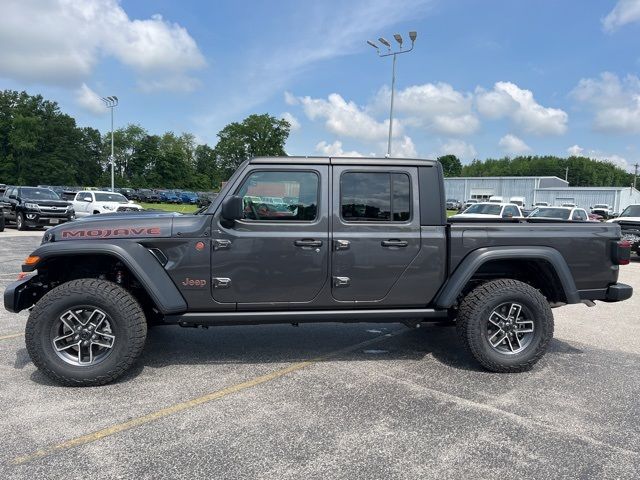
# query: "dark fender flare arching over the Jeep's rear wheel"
[472,262]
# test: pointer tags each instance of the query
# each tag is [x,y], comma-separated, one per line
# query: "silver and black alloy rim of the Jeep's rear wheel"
[509,330]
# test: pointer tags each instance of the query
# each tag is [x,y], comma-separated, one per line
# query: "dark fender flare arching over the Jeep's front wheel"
[142,264]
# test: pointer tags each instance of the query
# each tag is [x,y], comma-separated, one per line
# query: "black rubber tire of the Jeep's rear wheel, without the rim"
[474,313]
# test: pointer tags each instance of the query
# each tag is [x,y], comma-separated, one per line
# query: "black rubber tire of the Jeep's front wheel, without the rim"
[124,312]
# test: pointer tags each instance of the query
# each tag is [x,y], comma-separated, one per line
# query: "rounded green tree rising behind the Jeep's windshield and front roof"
[256,135]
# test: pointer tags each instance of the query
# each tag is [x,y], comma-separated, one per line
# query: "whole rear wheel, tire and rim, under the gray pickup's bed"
[506,325]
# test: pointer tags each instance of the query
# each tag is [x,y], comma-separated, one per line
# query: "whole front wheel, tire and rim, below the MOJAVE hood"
[85,332]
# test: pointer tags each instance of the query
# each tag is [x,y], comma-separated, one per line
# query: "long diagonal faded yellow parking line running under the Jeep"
[180,407]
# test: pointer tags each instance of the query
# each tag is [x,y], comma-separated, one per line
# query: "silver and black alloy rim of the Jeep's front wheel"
[83,336]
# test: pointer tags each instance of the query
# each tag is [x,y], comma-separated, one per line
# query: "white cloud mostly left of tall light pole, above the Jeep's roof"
[346,118]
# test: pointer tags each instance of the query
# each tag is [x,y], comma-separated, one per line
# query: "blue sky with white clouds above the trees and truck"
[486,78]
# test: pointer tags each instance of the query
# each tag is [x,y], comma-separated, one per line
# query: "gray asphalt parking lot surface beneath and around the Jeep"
[352,401]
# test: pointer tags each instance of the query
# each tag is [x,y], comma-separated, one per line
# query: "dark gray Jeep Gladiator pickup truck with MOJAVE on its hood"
[293,240]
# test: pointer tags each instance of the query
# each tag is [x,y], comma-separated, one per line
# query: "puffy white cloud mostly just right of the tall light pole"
[438,107]
